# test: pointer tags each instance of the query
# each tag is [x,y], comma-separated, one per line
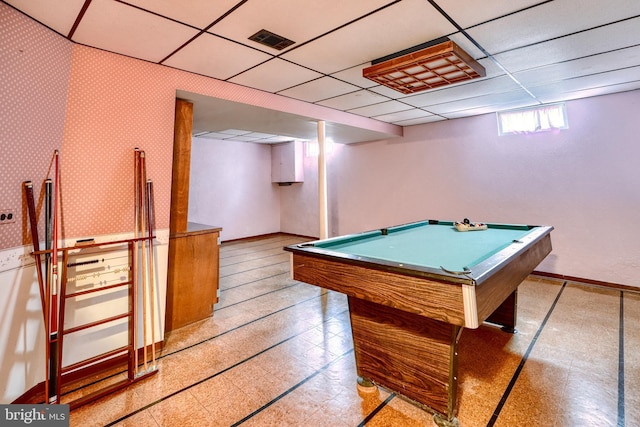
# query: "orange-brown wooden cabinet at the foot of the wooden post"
[192,276]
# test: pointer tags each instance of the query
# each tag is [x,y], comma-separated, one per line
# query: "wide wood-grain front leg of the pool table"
[411,355]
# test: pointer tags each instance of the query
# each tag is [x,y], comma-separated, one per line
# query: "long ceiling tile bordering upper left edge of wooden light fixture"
[390,30]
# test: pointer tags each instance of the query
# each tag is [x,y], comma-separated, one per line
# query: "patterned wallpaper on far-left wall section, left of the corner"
[34,69]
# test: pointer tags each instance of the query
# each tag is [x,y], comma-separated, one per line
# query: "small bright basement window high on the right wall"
[532,120]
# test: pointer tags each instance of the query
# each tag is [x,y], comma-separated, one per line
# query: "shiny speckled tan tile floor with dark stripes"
[279,353]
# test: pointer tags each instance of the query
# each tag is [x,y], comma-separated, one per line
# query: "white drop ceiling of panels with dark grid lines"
[534,52]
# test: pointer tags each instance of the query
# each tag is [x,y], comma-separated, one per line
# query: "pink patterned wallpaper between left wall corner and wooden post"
[115,104]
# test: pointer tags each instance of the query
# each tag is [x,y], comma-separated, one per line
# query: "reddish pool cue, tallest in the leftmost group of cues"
[53,307]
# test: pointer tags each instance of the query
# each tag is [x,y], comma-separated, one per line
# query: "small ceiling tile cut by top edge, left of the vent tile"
[199,13]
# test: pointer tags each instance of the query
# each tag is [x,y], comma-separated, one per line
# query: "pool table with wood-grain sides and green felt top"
[413,288]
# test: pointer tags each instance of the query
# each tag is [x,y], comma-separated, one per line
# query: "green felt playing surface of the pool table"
[429,245]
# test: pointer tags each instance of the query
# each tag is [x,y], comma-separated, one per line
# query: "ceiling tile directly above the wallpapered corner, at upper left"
[130,31]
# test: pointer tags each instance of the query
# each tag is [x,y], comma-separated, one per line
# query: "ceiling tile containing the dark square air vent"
[311,17]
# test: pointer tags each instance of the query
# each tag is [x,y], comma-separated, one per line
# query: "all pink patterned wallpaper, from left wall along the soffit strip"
[96,107]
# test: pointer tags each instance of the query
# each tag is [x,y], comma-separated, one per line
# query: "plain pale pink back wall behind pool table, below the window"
[584,181]
